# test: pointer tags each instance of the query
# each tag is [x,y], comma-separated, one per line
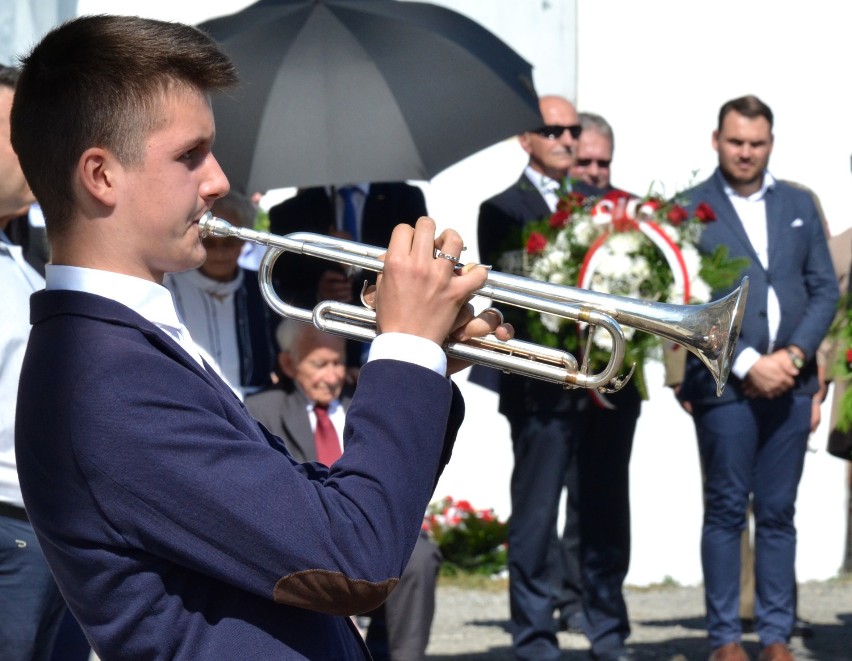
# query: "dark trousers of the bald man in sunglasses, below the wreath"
[543,445]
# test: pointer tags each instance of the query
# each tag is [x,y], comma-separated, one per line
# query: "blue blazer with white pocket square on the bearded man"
[800,271]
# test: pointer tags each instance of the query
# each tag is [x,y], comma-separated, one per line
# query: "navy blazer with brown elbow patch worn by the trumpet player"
[177,527]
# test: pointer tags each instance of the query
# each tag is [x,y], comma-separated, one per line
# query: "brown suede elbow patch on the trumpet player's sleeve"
[331,592]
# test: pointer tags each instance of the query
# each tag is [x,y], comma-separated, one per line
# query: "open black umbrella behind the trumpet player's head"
[337,91]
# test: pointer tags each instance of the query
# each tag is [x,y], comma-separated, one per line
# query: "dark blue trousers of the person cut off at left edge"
[31,607]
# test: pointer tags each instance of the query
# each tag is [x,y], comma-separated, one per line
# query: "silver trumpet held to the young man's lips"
[709,331]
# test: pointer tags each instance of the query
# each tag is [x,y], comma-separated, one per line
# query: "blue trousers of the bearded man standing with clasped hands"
[751,447]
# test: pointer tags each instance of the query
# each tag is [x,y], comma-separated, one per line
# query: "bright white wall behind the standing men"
[658,70]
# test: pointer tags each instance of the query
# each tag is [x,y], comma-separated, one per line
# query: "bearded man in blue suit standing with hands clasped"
[752,440]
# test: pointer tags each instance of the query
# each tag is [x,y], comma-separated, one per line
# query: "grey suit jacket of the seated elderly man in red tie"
[283,411]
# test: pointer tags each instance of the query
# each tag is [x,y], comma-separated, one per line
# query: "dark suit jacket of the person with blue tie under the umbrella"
[312,210]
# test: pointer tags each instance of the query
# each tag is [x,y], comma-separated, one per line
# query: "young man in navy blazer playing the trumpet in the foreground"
[175,525]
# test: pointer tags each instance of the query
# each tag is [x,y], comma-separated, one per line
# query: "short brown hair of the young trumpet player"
[100,81]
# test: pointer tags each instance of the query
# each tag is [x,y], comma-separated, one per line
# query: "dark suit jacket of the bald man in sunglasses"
[502,219]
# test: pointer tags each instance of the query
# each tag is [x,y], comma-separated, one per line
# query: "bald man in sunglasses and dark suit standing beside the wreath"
[548,427]
